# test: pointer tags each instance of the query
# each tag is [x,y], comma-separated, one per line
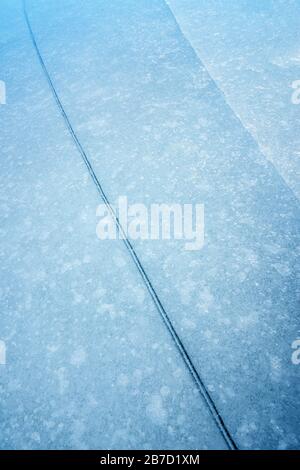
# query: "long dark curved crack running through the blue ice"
[183,352]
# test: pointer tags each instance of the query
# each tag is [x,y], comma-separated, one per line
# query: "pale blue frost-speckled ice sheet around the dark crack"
[170,107]
